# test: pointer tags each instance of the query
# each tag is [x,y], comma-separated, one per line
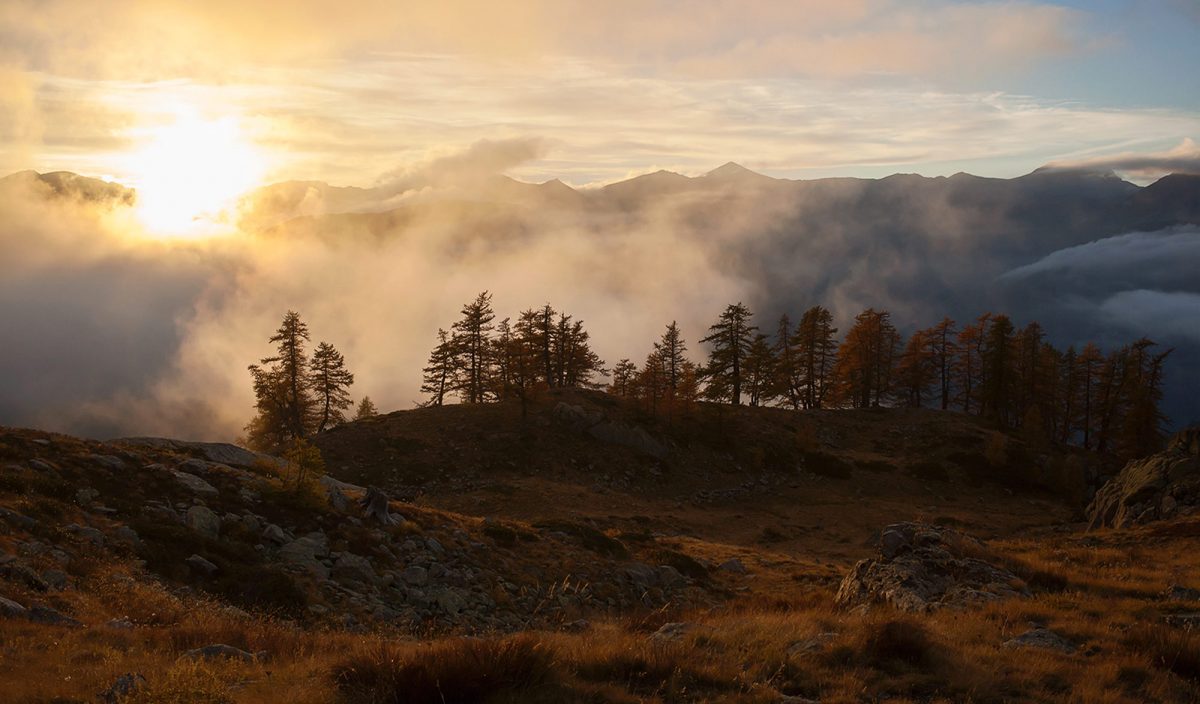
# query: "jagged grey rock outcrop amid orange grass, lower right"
[925,568]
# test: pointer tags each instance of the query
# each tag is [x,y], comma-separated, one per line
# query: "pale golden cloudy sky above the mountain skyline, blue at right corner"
[350,93]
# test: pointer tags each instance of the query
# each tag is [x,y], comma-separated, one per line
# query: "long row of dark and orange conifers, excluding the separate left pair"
[989,368]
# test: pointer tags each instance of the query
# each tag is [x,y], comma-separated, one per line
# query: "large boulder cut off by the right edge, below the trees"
[1160,486]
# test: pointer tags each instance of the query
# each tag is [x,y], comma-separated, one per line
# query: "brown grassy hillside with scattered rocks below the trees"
[590,553]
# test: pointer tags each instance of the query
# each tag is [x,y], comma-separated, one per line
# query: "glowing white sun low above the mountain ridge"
[190,172]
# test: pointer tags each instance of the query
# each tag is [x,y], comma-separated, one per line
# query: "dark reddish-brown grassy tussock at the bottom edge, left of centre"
[461,671]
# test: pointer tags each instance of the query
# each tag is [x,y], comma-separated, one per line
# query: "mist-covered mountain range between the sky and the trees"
[110,332]
